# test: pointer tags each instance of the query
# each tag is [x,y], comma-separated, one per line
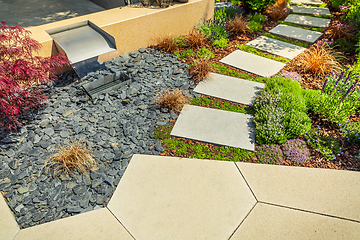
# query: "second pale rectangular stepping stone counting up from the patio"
[230,88]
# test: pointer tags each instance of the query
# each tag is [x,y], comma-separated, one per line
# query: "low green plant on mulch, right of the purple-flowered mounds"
[327,145]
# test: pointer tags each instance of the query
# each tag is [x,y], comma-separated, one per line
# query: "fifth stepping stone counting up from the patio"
[296,33]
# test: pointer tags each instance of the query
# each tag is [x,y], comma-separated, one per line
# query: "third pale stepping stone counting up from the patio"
[261,66]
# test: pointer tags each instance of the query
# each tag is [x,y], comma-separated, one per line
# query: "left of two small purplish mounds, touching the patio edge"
[271,154]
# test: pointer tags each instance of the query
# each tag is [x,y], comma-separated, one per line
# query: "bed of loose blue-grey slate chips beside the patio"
[115,125]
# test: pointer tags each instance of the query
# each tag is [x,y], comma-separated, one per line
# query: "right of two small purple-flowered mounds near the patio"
[296,151]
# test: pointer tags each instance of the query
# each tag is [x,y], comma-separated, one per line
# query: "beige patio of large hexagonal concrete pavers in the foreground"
[178,198]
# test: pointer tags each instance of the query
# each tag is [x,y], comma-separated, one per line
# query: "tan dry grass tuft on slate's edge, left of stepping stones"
[172,100]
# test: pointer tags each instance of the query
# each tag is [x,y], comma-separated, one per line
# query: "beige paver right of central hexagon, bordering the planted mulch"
[330,192]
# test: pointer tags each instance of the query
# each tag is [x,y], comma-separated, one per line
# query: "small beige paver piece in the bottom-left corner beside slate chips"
[8,225]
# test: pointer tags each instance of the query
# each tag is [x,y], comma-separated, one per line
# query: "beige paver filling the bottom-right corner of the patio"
[278,223]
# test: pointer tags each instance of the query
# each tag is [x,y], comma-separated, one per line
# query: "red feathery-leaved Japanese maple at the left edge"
[21,74]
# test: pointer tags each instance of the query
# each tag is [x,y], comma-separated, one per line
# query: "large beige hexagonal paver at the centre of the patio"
[178,198]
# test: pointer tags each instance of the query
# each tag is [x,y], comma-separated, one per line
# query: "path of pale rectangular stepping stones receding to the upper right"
[213,126]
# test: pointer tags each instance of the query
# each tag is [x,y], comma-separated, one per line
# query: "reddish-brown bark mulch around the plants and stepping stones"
[346,161]
